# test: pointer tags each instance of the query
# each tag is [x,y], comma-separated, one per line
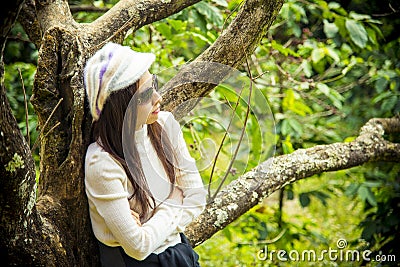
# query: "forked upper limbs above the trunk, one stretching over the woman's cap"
[37,17]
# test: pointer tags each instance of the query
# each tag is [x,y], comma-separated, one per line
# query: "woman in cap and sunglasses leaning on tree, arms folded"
[142,185]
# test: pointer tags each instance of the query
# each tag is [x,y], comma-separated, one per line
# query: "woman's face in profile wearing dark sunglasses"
[149,100]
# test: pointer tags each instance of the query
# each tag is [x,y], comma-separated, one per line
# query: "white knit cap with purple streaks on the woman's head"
[112,68]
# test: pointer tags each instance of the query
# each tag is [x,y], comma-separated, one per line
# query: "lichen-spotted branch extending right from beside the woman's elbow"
[273,174]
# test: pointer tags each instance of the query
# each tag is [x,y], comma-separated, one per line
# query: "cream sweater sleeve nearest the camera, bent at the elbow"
[104,181]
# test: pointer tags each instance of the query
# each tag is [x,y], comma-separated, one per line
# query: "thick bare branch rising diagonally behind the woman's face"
[231,48]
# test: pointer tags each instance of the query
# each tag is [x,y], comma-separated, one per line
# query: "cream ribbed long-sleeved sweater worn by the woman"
[108,188]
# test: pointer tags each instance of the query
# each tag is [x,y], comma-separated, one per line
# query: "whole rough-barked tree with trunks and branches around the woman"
[54,229]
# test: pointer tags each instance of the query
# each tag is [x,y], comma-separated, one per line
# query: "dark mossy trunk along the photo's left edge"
[21,239]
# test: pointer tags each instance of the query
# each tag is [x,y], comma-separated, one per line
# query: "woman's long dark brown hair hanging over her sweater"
[107,132]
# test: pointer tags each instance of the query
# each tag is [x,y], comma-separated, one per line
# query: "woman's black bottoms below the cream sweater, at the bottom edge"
[180,255]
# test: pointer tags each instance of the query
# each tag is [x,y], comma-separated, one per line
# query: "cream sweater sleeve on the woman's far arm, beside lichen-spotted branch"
[188,179]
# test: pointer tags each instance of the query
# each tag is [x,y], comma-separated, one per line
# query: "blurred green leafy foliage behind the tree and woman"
[325,68]
